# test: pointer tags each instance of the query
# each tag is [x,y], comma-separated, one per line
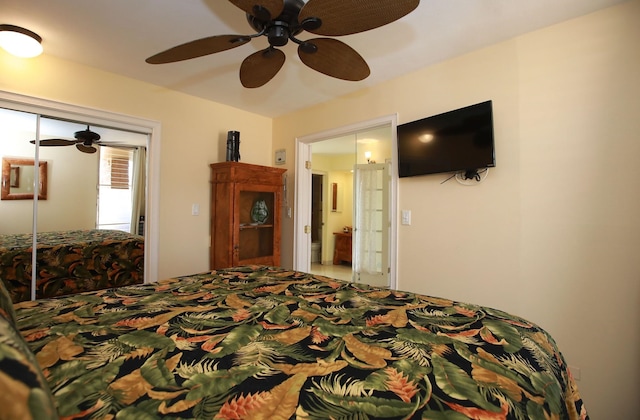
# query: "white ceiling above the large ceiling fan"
[118,35]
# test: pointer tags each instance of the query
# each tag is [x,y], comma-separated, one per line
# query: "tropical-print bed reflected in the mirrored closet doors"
[71,261]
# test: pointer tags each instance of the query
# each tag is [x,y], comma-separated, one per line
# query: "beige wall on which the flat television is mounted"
[553,233]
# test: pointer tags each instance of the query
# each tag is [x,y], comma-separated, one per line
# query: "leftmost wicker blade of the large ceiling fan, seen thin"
[199,48]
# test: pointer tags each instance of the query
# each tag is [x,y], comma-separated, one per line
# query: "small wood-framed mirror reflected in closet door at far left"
[18,175]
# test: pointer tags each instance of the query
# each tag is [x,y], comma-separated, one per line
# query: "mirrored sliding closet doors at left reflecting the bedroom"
[93,181]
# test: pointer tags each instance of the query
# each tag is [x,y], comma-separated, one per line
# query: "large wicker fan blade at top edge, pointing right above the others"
[344,17]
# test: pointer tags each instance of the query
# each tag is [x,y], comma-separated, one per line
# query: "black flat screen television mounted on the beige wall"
[459,140]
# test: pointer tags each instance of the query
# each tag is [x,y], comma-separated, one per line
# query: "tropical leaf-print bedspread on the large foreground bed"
[264,343]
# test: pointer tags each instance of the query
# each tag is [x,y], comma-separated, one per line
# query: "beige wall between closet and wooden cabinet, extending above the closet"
[193,135]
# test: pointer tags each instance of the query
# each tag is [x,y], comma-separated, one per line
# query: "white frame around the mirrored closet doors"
[62,110]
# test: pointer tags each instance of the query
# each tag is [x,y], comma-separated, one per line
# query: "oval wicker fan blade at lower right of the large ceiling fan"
[334,58]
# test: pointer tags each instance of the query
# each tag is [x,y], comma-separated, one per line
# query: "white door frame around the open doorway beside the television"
[302,218]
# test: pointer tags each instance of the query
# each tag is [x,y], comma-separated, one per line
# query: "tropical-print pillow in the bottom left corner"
[24,393]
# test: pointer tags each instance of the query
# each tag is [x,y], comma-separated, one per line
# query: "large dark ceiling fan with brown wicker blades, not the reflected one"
[282,21]
